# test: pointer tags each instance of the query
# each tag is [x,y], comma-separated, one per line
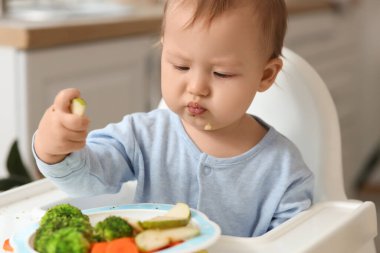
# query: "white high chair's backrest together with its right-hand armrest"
[300,107]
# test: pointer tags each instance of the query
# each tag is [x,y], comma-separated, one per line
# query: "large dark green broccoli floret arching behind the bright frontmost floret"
[57,218]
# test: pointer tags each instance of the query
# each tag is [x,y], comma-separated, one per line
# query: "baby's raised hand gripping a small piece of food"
[60,132]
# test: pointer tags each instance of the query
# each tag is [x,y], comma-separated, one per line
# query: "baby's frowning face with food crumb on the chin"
[210,74]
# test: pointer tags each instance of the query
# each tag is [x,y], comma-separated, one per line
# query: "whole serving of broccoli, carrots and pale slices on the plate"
[64,228]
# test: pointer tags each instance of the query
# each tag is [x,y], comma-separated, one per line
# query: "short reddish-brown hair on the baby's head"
[272,15]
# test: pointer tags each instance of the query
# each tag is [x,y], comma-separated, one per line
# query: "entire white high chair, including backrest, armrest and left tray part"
[299,106]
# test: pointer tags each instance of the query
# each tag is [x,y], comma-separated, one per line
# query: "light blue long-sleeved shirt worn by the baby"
[247,195]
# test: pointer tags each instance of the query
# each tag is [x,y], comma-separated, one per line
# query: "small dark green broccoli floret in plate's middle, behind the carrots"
[111,228]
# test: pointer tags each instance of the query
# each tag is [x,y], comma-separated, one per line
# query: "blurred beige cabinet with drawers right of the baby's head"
[328,39]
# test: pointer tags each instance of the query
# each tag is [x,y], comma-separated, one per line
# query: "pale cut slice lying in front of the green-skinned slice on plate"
[154,239]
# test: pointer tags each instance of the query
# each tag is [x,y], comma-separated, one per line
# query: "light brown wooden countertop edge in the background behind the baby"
[146,18]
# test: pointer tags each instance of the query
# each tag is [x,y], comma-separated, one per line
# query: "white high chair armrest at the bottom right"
[336,226]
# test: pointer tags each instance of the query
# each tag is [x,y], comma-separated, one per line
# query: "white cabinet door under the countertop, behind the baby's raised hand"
[112,75]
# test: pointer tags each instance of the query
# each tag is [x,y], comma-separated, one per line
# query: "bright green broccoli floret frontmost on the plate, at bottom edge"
[67,240]
